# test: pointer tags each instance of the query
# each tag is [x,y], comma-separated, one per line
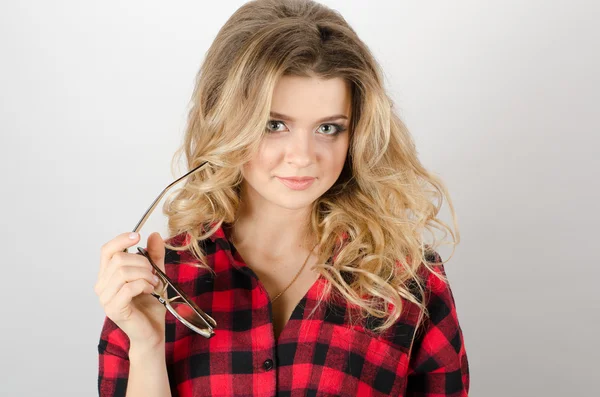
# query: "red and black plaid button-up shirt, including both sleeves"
[317,356]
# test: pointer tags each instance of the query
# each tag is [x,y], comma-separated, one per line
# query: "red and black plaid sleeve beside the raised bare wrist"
[113,360]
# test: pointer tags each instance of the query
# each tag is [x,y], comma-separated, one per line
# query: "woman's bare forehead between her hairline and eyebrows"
[307,98]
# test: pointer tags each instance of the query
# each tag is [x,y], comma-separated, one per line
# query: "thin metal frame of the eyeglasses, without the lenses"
[162,296]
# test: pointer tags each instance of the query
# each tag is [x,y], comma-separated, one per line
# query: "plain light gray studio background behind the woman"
[501,96]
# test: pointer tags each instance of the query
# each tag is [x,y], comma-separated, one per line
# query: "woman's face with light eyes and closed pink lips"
[307,137]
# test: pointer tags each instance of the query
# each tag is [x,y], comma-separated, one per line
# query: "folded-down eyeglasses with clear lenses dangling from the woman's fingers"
[180,305]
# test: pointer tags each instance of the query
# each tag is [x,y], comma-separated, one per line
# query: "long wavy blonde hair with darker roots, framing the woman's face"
[372,220]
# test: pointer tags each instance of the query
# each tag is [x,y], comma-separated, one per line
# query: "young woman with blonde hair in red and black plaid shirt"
[296,263]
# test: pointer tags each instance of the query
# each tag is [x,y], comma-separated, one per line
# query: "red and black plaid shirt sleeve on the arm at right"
[438,364]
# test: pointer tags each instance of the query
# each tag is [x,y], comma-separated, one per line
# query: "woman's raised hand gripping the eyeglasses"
[124,284]
